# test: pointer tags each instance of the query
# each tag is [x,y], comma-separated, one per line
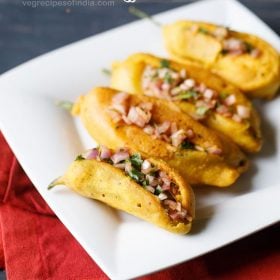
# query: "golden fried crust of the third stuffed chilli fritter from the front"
[126,76]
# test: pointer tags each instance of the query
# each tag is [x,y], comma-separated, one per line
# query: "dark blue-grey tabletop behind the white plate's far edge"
[27,32]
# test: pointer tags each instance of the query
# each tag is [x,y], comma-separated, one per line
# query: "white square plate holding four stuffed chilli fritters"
[46,139]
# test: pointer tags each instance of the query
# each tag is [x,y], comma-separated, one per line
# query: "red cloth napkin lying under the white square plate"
[36,245]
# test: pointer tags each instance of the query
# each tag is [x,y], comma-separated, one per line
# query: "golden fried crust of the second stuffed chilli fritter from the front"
[196,167]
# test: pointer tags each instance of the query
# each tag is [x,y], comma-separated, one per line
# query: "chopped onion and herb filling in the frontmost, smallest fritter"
[147,175]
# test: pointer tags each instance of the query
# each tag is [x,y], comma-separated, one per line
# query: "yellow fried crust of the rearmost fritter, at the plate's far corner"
[257,77]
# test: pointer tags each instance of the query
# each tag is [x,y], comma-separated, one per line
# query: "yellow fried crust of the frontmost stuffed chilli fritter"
[106,183]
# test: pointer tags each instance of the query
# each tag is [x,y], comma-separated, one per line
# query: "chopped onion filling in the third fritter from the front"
[182,87]
